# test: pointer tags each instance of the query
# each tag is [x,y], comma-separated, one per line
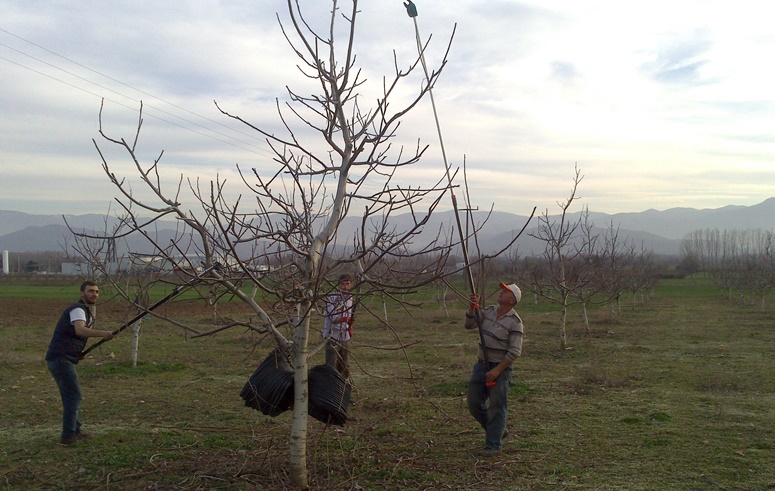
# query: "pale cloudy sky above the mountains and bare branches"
[658,104]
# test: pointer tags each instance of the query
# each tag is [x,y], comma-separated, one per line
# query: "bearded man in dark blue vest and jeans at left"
[64,352]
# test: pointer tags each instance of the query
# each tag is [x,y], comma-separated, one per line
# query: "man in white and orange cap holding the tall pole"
[502,331]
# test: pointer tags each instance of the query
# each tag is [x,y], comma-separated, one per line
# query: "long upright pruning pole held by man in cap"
[411,9]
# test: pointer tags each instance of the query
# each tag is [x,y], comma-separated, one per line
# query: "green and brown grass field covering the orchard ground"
[677,394]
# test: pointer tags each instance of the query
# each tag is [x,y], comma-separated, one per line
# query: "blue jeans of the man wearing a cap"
[491,416]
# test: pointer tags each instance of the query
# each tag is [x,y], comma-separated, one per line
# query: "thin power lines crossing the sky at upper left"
[257,150]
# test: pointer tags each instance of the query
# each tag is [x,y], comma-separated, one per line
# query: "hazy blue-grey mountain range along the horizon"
[660,231]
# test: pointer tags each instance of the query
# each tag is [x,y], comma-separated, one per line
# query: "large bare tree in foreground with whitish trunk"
[279,240]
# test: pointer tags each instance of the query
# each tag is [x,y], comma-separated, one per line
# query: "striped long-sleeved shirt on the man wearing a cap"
[503,337]
